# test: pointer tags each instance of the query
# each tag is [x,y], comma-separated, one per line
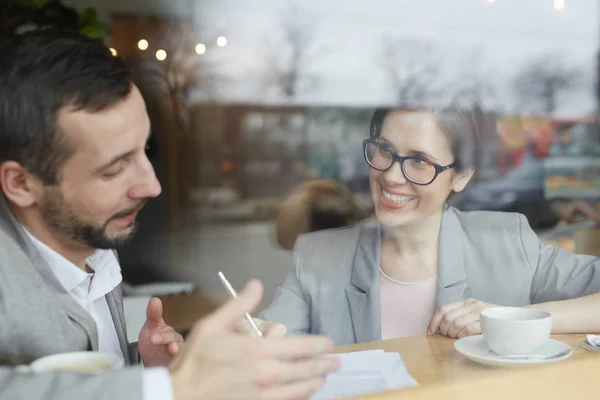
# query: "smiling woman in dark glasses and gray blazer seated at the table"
[422,266]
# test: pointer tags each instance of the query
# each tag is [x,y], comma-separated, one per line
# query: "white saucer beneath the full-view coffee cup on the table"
[475,350]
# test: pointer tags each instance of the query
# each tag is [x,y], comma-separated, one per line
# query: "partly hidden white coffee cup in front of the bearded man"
[88,362]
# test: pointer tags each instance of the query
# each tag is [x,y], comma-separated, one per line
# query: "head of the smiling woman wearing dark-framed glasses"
[417,159]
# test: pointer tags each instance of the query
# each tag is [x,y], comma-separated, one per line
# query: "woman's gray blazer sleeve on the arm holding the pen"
[290,305]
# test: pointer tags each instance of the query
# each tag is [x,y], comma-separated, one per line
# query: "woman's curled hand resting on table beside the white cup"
[458,319]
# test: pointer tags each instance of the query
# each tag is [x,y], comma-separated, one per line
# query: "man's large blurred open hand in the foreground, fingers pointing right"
[218,362]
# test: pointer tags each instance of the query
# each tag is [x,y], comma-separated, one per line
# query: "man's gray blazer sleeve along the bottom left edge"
[122,384]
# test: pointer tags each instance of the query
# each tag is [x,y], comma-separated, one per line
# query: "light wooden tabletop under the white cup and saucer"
[445,374]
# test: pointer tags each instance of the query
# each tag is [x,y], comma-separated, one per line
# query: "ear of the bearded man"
[19,186]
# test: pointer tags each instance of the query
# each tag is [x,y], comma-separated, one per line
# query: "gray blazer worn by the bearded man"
[38,318]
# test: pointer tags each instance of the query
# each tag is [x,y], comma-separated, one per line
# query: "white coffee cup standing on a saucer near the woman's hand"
[514,330]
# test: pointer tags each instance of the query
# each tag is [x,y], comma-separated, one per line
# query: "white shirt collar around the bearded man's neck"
[106,276]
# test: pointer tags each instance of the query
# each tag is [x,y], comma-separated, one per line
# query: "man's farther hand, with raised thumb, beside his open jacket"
[157,341]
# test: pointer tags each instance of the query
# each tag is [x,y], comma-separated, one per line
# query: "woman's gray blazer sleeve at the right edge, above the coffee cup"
[558,274]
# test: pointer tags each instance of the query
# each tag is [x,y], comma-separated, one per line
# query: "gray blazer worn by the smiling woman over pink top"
[490,256]
